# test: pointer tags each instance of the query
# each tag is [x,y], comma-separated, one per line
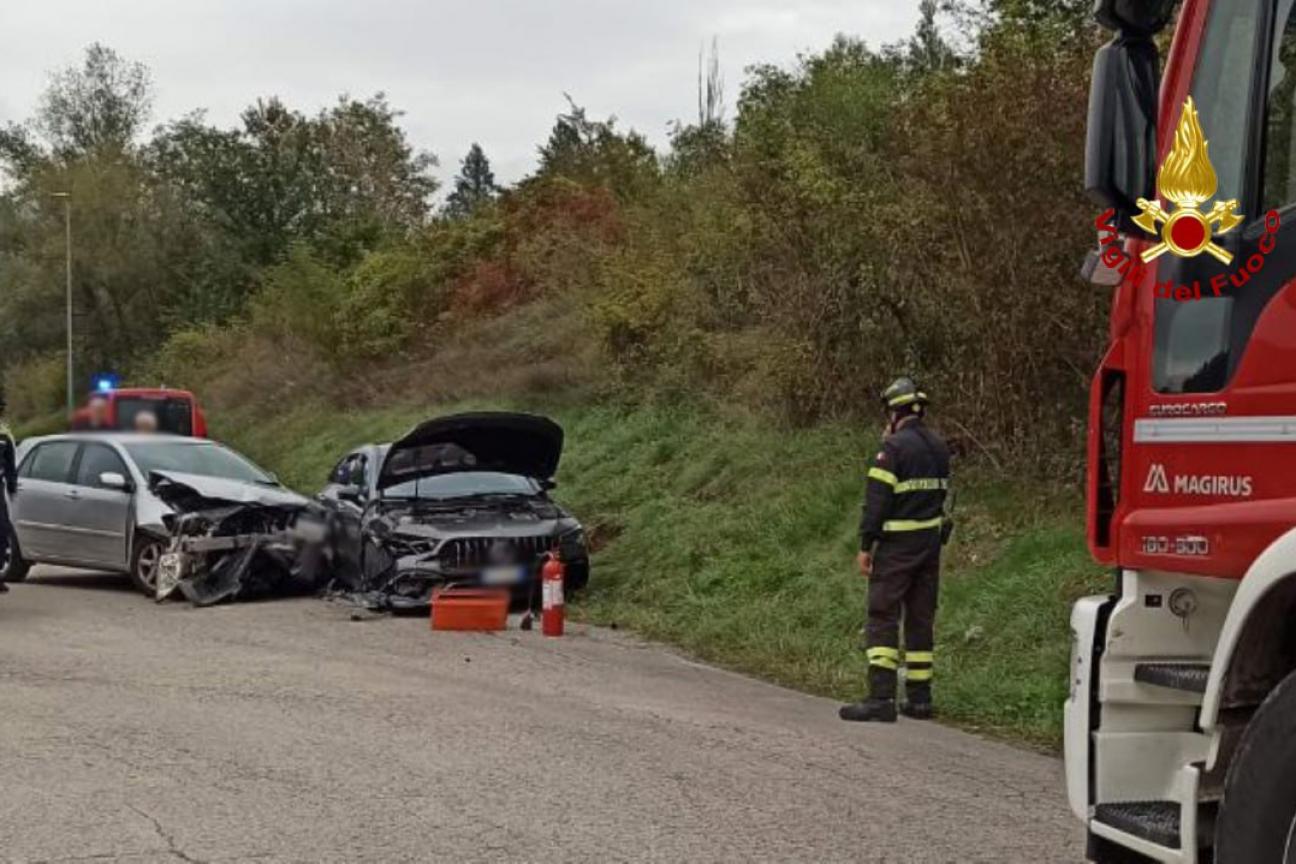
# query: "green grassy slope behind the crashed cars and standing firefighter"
[735,541]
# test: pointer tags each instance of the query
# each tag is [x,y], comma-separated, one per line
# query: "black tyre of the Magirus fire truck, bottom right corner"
[1258,817]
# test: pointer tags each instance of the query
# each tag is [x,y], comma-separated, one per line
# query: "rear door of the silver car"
[43,501]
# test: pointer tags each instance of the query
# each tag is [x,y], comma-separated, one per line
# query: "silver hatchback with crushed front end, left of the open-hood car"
[177,515]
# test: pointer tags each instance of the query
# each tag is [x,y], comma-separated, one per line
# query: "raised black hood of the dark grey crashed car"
[506,442]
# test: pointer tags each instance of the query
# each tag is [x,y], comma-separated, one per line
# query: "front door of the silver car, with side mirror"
[99,517]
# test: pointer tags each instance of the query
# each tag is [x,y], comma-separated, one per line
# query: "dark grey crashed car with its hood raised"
[461,501]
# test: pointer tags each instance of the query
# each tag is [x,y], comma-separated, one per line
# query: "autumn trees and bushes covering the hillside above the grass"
[914,208]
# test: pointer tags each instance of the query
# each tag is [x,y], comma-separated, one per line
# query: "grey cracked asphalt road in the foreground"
[287,733]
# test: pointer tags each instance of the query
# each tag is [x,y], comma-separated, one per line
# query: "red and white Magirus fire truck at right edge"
[1181,723]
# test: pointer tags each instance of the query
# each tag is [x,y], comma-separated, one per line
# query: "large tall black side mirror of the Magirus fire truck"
[1120,147]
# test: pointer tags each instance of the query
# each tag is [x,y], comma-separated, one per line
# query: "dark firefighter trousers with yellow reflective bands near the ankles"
[905,585]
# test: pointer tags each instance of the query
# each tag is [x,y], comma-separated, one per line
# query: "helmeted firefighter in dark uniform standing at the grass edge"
[901,533]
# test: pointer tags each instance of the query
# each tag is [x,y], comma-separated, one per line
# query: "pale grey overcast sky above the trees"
[462,71]
